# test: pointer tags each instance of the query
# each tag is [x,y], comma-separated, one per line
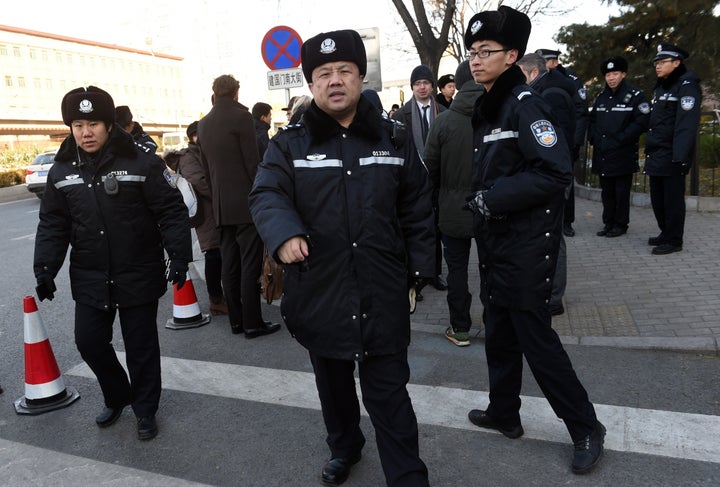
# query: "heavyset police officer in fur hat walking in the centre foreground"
[342,199]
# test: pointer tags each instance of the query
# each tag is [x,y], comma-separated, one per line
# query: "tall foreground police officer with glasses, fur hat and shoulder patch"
[521,169]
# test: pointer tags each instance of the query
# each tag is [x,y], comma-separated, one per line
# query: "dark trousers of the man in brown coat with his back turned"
[241,249]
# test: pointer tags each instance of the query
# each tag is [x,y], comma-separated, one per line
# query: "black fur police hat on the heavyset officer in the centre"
[328,47]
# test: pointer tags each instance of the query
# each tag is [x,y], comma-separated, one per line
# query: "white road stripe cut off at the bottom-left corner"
[22,464]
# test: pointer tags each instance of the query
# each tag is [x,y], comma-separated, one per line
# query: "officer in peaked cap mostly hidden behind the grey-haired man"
[552,61]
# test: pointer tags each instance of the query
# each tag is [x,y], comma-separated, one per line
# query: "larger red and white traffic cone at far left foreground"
[45,388]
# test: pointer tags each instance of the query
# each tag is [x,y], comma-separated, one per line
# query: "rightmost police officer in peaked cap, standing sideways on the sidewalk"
[670,144]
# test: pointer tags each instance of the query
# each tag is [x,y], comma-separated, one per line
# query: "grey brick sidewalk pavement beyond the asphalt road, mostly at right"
[618,293]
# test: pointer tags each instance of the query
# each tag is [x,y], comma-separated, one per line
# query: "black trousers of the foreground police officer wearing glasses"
[511,333]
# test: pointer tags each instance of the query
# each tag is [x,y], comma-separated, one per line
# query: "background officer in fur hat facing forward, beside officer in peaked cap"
[620,114]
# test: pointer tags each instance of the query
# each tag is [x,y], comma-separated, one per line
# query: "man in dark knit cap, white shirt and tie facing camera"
[418,114]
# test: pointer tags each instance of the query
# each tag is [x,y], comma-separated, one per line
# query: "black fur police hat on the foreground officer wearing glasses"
[504,25]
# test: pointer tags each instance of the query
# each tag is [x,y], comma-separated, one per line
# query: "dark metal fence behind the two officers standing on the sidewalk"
[703,178]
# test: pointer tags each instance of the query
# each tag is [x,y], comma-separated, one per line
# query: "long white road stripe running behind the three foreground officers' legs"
[648,431]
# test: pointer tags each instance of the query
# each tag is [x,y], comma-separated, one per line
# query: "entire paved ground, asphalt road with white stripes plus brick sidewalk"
[244,412]
